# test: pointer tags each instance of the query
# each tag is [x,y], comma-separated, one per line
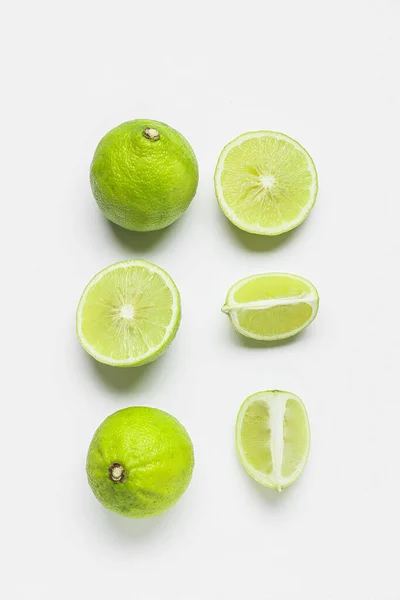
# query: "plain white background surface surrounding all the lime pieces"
[326,73]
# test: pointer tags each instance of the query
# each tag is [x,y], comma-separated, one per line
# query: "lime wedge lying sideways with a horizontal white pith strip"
[271,306]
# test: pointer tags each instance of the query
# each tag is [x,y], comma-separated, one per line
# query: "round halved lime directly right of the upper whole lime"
[265,182]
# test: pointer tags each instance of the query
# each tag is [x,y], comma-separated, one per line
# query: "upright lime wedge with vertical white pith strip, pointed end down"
[273,437]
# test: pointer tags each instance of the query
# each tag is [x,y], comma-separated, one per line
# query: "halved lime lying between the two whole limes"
[128,314]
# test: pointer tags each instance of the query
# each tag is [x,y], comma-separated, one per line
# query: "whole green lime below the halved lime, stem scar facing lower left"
[140,462]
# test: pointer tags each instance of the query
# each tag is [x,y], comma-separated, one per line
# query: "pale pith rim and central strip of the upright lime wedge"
[276,401]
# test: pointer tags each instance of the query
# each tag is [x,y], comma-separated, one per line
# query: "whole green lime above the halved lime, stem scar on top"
[144,175]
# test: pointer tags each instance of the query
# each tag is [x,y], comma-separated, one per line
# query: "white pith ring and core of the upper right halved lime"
[253,228]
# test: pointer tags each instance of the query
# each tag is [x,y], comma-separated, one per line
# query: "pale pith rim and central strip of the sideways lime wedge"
[232,308]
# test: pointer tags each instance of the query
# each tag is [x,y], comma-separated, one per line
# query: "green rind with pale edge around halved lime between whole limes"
[154,352]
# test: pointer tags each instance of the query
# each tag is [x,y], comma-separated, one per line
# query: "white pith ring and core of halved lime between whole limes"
[175,312]
